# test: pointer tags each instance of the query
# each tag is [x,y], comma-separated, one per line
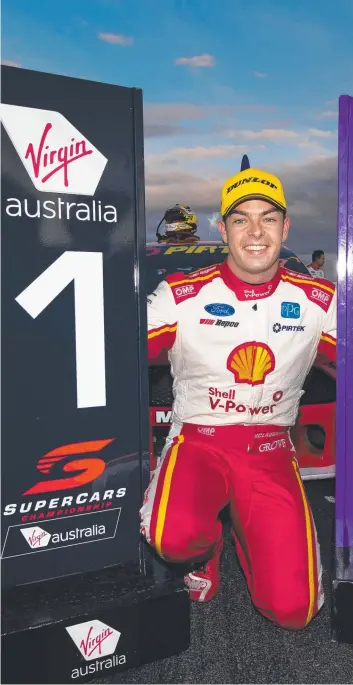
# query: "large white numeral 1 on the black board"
[86,270]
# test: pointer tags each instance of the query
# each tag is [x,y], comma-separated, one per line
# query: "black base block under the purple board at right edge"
[342,614]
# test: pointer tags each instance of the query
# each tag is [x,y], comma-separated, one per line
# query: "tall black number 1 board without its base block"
[74,400]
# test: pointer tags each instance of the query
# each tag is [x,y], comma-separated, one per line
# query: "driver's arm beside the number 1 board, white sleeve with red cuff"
[162,320]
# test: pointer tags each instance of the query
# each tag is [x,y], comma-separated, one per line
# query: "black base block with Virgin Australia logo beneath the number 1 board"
[78,628]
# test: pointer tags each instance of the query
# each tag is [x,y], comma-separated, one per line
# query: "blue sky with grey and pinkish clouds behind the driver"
[219,79]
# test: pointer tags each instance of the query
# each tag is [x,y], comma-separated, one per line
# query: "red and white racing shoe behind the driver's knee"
[204,581]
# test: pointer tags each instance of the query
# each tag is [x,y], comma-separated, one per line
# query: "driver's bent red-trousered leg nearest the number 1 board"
[179,516]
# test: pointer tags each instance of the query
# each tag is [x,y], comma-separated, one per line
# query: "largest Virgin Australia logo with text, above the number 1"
[58,159]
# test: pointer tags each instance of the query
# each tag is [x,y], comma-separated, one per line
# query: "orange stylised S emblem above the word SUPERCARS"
[89,468]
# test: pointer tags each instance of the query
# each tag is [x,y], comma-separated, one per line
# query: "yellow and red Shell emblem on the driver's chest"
[251,362]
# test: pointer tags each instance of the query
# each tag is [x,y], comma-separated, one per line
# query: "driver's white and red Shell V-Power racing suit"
[239,356]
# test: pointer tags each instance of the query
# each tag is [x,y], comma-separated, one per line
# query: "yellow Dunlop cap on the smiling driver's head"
[252,184]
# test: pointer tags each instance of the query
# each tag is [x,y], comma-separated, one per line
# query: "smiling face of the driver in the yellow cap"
[254,233]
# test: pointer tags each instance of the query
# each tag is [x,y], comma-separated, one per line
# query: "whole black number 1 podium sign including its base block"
[79,593]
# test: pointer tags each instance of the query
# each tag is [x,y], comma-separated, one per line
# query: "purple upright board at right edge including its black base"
[343,582]
